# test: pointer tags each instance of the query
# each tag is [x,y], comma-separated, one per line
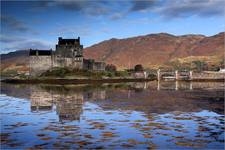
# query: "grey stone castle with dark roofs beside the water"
[68,53]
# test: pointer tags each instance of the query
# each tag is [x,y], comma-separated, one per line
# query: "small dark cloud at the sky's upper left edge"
[13,24]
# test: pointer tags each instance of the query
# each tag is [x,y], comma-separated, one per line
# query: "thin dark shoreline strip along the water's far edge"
[94,81]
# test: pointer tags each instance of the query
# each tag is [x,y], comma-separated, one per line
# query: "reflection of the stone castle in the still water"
[68,103]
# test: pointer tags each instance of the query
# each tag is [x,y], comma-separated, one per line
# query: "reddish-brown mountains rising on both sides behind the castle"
[151,51]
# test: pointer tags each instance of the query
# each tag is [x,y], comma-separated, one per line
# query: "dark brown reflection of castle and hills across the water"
[149,97]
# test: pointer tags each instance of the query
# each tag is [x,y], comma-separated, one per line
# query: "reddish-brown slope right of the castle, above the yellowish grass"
[155,49]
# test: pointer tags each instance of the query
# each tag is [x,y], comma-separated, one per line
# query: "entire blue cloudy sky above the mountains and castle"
[38,24]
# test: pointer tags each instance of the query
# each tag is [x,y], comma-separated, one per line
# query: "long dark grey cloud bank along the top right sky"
[180,8]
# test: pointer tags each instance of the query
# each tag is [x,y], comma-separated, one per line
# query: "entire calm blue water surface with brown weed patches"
[172,115]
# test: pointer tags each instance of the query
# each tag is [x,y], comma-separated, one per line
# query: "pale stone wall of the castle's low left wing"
[40,64]
